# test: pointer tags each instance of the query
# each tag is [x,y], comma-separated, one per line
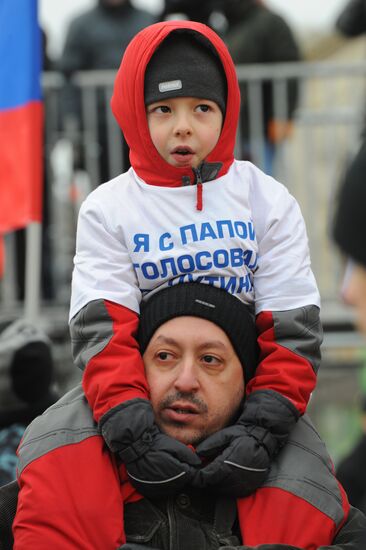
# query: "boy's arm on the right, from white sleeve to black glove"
[289,337]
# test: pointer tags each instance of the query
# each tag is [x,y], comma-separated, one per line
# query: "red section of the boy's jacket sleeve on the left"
[116,373]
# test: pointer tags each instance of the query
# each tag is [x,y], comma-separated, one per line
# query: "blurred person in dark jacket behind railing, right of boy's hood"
[257,35]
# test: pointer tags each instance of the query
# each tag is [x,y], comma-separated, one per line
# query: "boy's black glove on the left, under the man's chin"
[157,464]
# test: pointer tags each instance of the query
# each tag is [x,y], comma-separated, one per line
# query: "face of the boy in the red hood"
[184,130]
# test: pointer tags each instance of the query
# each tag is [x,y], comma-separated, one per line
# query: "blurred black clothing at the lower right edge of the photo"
[351,470]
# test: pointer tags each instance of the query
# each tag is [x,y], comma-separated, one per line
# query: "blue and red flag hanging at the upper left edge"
[21,115]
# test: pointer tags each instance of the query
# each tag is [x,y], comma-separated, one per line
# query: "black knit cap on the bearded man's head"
[207,302]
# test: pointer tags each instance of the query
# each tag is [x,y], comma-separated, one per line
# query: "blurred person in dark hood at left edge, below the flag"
[26,376]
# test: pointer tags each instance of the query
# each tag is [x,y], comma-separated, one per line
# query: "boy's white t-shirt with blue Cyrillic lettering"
[250,239]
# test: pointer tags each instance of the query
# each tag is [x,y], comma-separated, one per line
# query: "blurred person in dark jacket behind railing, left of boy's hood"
[96,40]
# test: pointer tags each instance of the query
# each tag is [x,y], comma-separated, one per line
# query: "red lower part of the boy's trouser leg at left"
[70,498]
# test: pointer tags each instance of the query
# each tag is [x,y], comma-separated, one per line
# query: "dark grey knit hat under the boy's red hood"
[185,65]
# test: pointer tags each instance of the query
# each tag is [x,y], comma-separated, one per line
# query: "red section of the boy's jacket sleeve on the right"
[281,369]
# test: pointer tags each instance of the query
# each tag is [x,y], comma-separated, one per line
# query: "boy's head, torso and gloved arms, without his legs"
[187,211]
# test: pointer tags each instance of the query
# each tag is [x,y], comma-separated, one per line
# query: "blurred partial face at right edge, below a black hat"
[354,293]
